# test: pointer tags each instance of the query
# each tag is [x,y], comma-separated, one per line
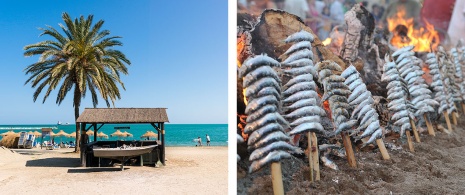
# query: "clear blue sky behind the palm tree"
[178,52]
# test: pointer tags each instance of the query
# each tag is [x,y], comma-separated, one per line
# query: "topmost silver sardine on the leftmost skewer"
[255,62]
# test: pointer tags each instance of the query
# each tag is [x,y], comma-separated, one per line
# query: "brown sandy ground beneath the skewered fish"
[436,167]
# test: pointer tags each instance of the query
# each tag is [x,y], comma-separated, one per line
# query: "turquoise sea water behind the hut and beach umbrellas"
[175,134]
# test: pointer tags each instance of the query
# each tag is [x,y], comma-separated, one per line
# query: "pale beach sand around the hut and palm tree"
[188,170]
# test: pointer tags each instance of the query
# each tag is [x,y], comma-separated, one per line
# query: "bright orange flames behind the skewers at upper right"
[405,34]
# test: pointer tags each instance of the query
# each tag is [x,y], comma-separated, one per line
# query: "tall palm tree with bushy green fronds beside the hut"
[81,59]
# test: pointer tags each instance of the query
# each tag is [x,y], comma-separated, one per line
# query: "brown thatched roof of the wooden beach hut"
[123,115]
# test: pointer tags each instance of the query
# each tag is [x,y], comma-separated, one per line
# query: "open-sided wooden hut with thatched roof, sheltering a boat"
[93,117]
